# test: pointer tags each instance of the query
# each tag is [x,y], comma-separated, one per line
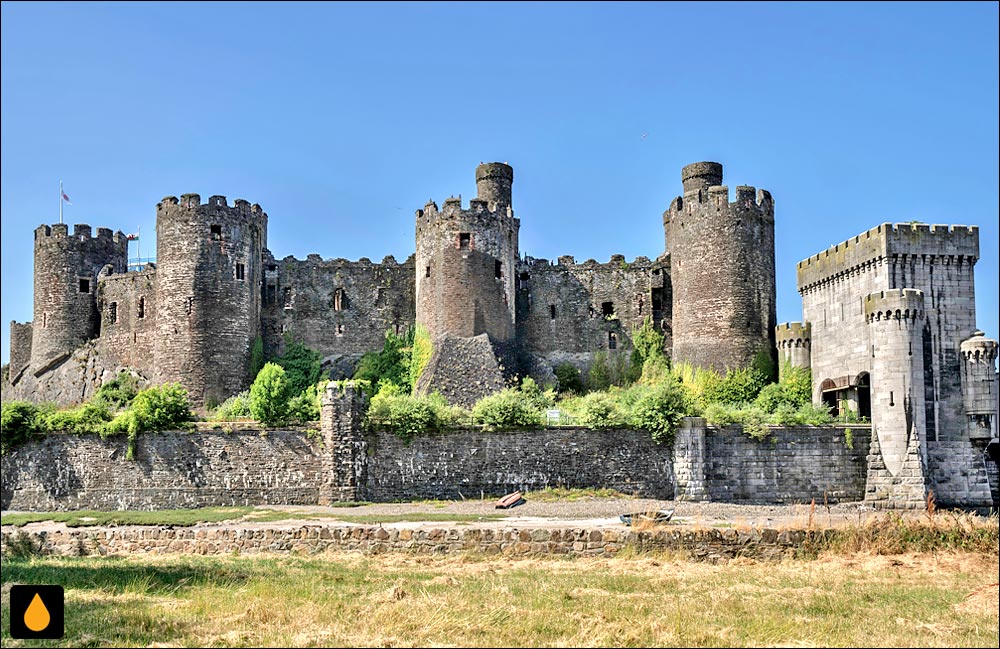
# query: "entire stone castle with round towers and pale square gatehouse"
[888,317]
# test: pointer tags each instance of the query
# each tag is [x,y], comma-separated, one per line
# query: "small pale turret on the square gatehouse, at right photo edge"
[979,385]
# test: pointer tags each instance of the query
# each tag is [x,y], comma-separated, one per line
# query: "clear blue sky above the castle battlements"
[341,120]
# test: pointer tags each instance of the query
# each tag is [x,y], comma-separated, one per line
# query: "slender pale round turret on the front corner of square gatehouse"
[895,322]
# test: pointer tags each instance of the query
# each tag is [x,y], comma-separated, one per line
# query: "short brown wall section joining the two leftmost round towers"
[127,306]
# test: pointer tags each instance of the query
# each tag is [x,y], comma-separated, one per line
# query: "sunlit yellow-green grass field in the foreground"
[941,599]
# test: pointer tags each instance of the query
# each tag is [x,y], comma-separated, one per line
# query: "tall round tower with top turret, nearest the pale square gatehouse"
[722,271]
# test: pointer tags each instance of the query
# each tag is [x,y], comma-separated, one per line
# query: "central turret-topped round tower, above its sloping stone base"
[465,261]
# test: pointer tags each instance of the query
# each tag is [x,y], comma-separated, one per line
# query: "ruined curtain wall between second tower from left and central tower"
[340,308]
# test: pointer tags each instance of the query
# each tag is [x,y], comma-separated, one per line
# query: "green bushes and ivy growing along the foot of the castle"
[639,390]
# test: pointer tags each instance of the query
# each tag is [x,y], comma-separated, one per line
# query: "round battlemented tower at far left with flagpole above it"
[66,269]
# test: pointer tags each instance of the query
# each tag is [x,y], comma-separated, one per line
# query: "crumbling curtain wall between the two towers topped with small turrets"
[561,307]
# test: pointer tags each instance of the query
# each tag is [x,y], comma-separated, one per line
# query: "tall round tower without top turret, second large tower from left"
[208,293]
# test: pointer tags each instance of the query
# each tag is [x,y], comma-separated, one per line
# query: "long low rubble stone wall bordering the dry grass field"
[711,545]
